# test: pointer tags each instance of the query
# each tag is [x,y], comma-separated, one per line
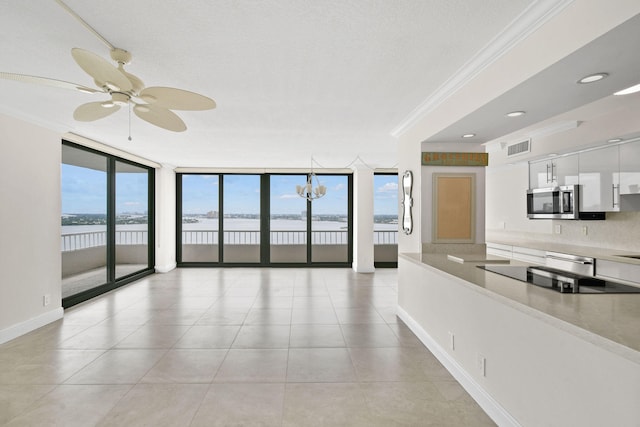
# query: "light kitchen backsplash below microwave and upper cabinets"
[620,231]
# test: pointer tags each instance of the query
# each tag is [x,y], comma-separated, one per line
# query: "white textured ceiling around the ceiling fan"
[292,79]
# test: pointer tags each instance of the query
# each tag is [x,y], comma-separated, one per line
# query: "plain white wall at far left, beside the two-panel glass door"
[30,207]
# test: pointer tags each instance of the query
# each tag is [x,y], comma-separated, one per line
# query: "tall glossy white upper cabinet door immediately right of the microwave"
[599,180]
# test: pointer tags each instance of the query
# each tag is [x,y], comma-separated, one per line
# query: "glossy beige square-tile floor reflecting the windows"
[240,347]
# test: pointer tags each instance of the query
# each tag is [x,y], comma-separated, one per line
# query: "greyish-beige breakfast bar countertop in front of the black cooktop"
[610,321]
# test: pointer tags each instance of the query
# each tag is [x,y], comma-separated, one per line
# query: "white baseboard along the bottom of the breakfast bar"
[497,413]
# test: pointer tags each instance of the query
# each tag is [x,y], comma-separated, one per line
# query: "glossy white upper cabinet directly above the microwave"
[562,170]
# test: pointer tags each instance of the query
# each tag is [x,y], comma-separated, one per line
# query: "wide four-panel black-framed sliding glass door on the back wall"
[259,219]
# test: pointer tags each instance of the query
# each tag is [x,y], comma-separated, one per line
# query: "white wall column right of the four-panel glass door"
[363,220]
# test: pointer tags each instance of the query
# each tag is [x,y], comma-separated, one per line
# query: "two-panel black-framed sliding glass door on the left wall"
[107,222]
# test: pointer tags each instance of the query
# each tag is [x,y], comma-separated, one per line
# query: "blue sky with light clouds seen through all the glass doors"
[84,191]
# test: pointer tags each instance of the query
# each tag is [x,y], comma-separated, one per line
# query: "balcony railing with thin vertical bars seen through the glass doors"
[77,241]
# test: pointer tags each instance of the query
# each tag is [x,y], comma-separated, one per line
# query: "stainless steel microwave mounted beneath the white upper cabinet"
[554,203]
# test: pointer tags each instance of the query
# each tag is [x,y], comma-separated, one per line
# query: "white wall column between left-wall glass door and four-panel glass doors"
[165,219]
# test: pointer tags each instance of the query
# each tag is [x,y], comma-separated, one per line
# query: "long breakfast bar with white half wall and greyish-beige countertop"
[528,355]
